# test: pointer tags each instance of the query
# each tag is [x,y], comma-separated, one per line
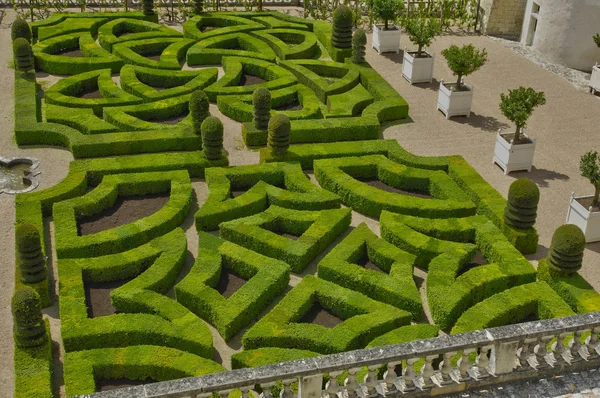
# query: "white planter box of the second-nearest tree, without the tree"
[513,157]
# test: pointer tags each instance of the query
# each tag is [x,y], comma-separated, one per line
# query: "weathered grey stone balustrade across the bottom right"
[503,354]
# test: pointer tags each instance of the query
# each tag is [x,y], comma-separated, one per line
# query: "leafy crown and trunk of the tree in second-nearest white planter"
[518,106]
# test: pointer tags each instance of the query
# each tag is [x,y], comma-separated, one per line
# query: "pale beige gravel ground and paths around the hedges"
[565,128]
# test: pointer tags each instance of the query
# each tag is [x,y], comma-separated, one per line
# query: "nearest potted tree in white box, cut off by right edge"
[584,210]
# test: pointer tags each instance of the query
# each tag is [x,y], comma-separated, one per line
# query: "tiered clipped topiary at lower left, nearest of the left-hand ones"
[29,328]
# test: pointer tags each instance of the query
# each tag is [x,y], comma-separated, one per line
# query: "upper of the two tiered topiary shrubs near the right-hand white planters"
[521,207]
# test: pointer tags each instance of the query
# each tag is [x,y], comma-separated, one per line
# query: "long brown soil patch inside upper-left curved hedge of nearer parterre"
[124,211]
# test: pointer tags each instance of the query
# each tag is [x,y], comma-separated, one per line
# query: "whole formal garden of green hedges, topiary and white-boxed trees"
[321,247]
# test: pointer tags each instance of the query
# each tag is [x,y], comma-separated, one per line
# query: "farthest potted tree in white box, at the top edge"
[386,38]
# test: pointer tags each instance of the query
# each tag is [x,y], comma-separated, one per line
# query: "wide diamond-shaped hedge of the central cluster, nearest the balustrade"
[364,319]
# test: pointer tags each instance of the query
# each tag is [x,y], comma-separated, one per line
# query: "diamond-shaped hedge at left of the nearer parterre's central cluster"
[266,279]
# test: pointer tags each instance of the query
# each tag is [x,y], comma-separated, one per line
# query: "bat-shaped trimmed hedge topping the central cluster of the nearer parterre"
[263,182]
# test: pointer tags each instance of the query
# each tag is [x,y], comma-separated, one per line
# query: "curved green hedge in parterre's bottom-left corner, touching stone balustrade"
[142,362]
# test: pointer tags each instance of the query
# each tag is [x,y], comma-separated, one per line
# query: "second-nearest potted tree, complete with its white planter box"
[514,150]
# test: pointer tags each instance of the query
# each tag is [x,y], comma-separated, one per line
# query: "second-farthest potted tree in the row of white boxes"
[417,66]
